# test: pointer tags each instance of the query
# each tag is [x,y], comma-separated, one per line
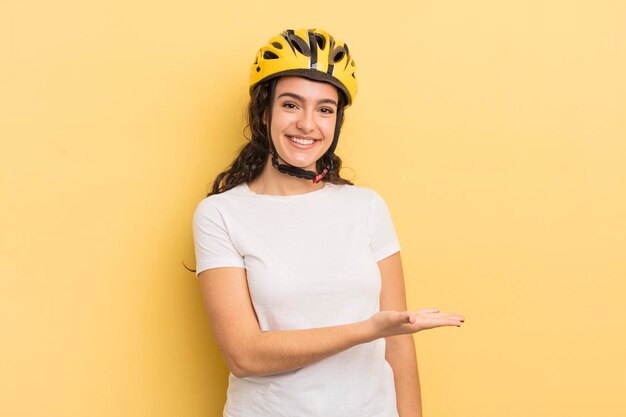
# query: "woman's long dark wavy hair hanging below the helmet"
[252,157]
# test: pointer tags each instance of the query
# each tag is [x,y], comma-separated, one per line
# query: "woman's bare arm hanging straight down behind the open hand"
[400,350]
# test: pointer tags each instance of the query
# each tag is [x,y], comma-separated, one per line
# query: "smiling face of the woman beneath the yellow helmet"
[304,114]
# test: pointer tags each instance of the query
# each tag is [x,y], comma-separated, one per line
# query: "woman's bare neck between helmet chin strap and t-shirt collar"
[273,182]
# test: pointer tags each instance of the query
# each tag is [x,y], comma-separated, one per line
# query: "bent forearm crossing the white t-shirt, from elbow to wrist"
[275,352]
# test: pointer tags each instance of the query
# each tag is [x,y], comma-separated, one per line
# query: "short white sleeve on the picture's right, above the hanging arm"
[384,241]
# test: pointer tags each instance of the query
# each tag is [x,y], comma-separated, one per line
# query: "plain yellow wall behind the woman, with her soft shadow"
[495,130]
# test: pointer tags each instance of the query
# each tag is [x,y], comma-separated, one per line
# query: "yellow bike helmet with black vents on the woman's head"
[310,53]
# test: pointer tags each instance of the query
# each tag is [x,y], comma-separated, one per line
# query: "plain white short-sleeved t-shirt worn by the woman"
[311,261]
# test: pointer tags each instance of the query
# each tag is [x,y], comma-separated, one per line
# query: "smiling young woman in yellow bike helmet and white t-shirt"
[300,270]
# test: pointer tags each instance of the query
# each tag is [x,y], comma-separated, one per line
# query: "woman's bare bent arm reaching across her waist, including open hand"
[250,352]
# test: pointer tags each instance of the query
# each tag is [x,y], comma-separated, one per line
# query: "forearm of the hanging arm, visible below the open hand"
[400,353]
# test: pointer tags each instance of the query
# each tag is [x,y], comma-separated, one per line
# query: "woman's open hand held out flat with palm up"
[393,323]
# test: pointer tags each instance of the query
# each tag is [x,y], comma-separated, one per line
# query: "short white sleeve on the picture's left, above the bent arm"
[213,245]
